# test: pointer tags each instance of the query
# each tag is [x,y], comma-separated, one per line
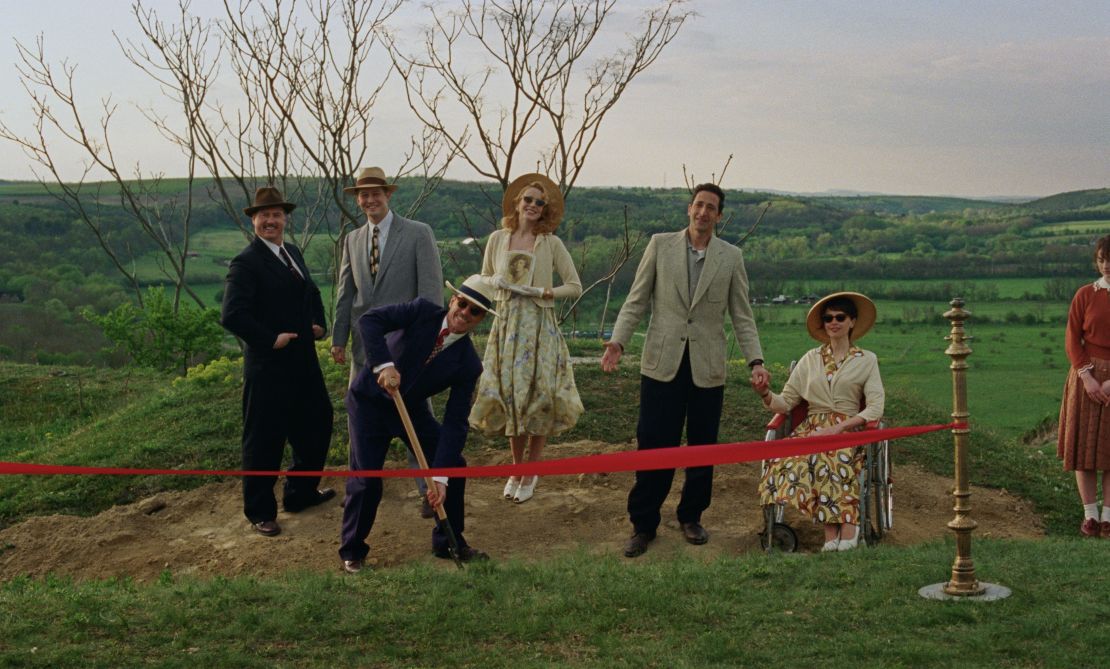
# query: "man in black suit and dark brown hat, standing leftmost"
[271,303]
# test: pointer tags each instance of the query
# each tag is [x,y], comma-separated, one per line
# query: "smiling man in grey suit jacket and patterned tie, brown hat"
[391,260]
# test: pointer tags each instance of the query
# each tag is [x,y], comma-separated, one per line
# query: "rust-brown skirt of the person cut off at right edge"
[1084,441]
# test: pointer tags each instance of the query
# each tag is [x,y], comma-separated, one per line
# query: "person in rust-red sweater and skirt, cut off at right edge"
[1084,442]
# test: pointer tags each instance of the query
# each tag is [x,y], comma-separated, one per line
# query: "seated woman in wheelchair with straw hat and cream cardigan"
[841,382]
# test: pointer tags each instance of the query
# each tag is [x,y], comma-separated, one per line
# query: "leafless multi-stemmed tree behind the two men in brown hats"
[300,119]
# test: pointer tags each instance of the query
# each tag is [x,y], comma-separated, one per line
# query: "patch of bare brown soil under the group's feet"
[204,532]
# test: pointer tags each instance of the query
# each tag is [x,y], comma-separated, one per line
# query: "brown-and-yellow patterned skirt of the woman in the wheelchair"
[823,485]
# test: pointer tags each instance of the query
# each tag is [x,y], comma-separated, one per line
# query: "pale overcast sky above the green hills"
[957,98]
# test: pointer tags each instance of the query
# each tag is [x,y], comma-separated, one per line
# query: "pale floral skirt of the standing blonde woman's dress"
[528,383]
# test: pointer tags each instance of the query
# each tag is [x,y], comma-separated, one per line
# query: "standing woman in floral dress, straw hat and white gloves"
[528,391]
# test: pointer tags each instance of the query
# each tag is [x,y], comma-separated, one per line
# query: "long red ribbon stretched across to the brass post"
[625,461]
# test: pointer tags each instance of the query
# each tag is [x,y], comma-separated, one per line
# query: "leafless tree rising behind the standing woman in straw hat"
[542,78]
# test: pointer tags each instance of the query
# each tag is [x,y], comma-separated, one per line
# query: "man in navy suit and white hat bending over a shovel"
[419,350]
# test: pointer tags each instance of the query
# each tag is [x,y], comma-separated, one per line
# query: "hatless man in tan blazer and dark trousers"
[692,280]
